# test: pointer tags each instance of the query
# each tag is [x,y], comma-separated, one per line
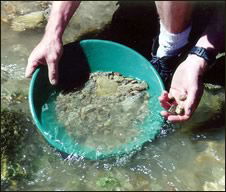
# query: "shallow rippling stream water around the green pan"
[191,156]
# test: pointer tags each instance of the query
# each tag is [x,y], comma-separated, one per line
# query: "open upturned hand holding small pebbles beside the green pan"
[187,81]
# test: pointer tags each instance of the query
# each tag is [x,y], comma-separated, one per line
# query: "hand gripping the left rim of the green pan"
[47,52]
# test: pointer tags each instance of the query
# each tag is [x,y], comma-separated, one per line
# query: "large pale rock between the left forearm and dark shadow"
[89,17]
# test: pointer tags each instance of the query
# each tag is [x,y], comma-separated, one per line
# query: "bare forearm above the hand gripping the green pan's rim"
[60,15]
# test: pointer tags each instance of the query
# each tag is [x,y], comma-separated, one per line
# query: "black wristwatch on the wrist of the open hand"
[208,55]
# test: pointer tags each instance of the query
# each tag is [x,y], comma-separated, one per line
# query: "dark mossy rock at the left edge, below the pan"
[13,134]
